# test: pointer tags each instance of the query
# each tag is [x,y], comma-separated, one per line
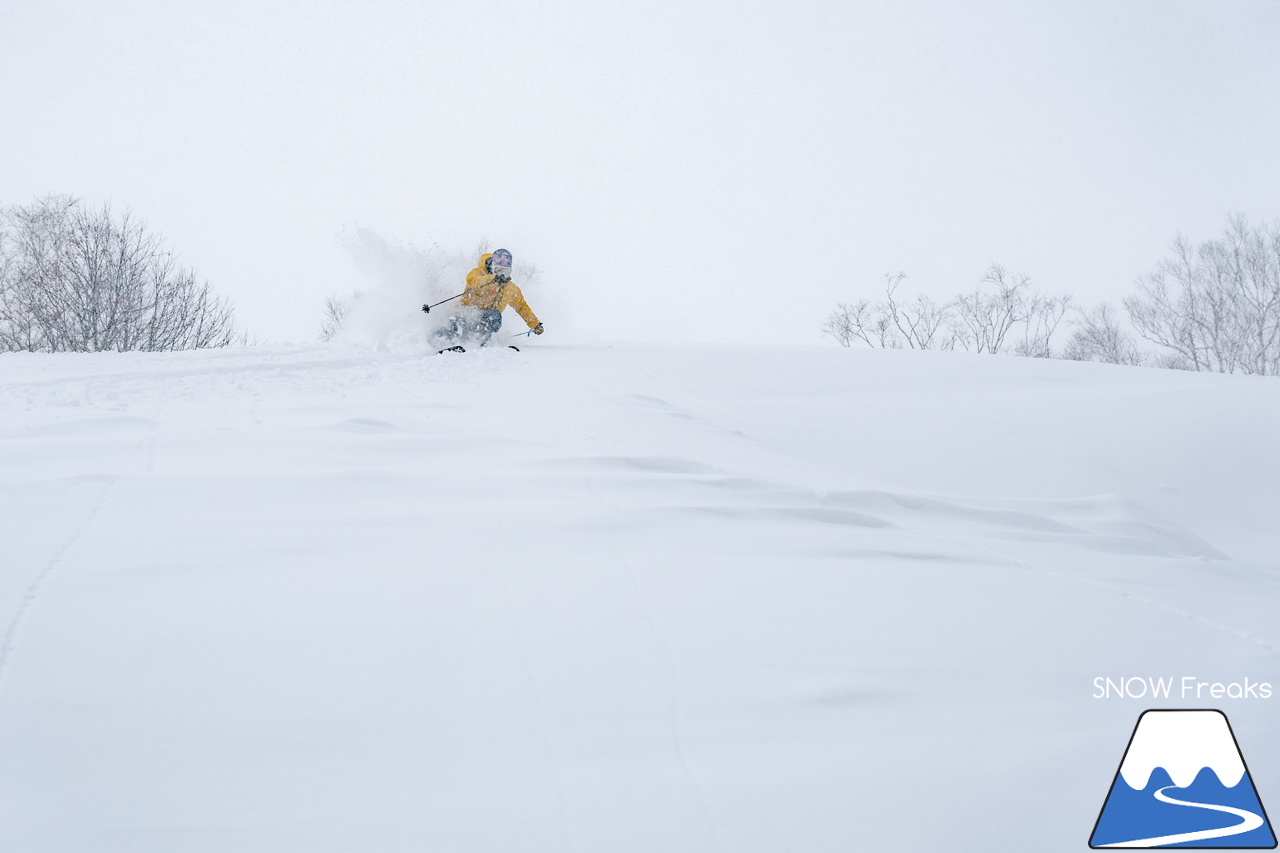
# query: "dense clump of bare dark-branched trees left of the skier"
[86,281]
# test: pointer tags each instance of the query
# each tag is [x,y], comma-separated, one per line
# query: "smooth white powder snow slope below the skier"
[326,599]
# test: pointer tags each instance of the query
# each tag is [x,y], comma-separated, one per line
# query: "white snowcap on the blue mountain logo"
[1183,743]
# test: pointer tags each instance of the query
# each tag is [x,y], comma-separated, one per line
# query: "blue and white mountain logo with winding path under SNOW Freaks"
[1183,783]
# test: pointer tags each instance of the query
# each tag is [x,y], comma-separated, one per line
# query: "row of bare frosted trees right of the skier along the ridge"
[1214,307]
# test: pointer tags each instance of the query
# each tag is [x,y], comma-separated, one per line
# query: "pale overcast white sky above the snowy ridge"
[682,171]
